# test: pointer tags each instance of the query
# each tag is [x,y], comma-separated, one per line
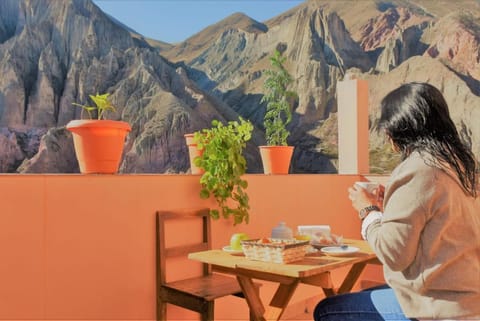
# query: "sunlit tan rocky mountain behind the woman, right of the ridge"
[325,40]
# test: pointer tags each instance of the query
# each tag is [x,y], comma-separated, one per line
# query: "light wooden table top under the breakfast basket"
[312,264]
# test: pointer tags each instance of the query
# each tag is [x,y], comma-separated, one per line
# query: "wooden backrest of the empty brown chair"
[165,251]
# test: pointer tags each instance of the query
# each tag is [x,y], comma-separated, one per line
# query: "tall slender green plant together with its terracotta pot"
[276,156]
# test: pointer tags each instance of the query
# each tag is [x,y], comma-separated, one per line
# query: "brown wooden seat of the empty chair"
[208,287]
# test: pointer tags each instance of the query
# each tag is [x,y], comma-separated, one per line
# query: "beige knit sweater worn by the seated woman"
[429,242]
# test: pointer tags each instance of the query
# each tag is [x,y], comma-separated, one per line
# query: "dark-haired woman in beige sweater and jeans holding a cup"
[427,230]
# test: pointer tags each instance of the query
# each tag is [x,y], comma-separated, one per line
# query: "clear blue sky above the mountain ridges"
[176,20]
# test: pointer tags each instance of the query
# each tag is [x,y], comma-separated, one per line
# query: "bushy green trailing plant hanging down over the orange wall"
[224,164]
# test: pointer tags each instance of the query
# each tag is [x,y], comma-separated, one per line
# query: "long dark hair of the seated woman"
[416,117]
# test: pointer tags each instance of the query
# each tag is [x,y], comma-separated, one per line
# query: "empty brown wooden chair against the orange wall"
[197,293]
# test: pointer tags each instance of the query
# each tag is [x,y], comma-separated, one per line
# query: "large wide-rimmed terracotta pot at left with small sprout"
[98,144]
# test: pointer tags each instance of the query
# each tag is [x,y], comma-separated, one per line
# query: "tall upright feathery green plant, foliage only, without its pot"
[279,101]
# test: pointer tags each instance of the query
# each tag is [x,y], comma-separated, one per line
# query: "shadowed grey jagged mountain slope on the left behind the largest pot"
[54,53]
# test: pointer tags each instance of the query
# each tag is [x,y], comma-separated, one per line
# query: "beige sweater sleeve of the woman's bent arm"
[395,239]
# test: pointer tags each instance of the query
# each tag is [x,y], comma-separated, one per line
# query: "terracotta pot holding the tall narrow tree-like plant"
[276,159]
